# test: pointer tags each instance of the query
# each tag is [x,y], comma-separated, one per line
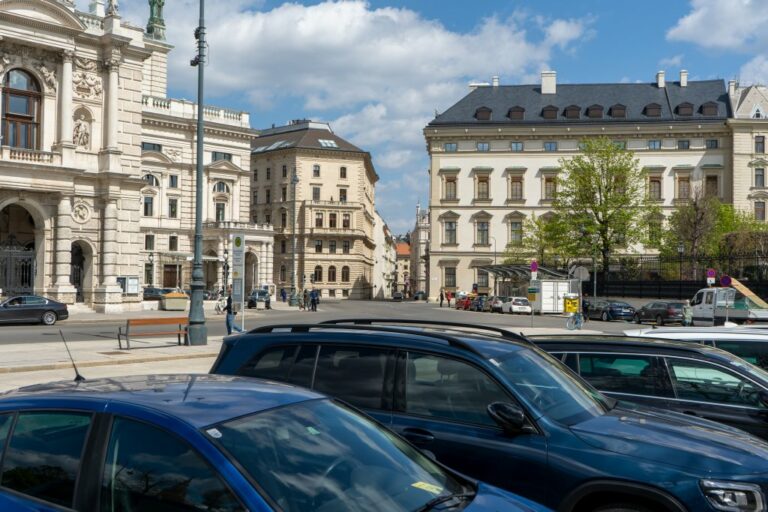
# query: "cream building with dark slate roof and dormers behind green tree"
[495,158]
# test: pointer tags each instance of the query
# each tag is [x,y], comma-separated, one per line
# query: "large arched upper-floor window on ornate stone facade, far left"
[21,110]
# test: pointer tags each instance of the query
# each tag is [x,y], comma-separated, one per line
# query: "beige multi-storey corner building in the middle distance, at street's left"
[327,210]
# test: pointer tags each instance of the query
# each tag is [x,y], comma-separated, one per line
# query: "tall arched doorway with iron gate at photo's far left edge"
[17,251]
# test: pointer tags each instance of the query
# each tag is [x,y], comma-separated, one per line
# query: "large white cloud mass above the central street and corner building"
[377,73]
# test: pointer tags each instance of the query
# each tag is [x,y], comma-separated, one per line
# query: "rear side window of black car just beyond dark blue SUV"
[619,373]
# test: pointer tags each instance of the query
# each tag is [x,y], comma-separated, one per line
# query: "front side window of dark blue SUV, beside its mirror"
[448,389]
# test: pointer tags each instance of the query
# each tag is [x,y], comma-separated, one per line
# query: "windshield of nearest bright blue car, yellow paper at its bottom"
[321,456]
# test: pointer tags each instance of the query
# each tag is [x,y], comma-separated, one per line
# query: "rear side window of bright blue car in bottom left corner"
[43,456]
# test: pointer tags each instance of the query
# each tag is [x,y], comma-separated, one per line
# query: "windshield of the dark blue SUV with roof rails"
[551,387]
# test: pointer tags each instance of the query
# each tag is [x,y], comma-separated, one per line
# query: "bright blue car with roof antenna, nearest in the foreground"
[212,443]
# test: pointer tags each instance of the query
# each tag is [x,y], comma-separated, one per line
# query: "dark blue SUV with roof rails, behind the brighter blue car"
[492,405]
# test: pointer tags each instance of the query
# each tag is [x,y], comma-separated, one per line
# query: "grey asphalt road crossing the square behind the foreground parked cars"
[76,330]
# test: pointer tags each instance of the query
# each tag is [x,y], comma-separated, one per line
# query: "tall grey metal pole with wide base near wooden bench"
[197,330]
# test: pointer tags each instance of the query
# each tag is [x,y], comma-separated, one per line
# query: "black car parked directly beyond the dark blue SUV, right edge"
[685,377]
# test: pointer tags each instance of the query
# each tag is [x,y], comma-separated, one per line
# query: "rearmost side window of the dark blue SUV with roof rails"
[291,363]
